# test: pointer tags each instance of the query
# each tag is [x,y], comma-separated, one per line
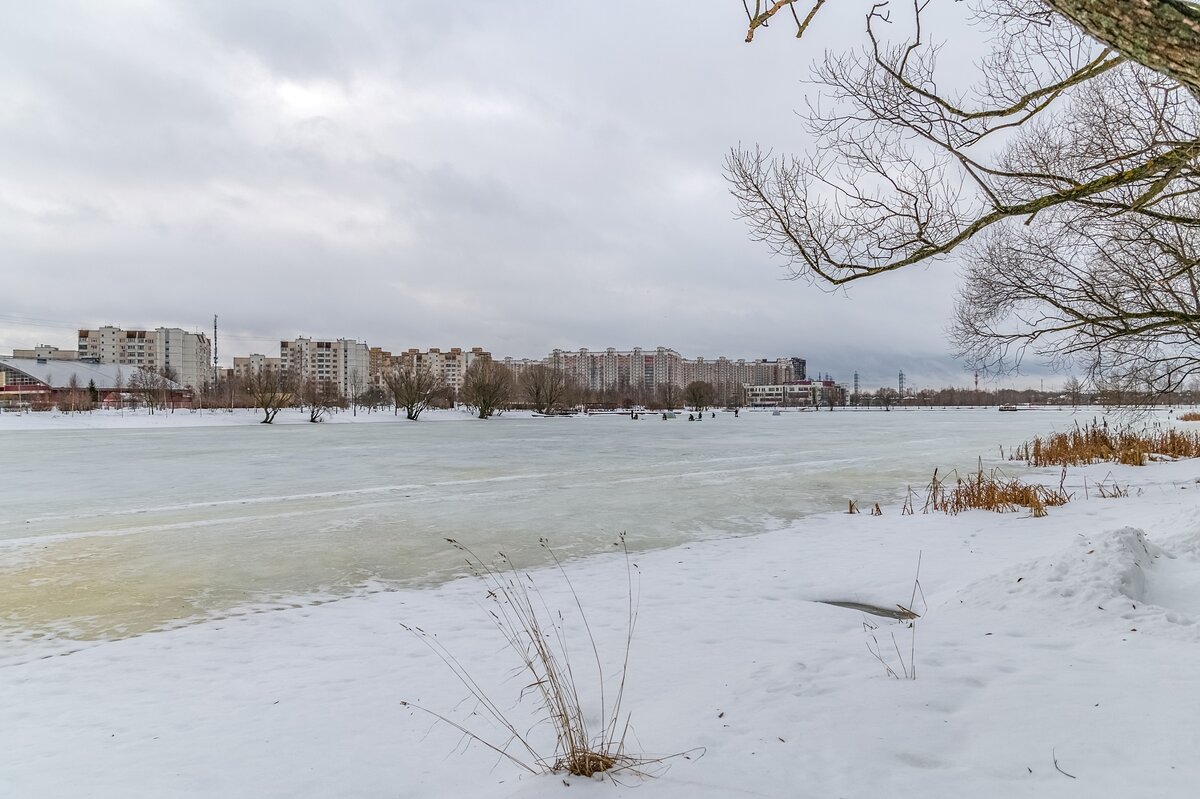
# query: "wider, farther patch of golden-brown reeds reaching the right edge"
[1099,443]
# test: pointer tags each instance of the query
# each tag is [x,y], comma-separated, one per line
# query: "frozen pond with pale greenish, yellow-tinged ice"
[110,533]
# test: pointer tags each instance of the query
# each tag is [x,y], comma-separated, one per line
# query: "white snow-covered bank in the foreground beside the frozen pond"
[1071,639]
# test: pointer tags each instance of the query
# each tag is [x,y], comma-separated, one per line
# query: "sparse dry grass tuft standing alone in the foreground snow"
[537,635]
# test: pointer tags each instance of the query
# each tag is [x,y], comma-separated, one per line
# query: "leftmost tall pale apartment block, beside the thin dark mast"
[187,356]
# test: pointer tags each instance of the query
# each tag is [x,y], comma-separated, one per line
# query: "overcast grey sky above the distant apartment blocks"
[513,176]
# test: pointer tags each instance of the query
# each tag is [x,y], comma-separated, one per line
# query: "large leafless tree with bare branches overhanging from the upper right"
[1069,170]
